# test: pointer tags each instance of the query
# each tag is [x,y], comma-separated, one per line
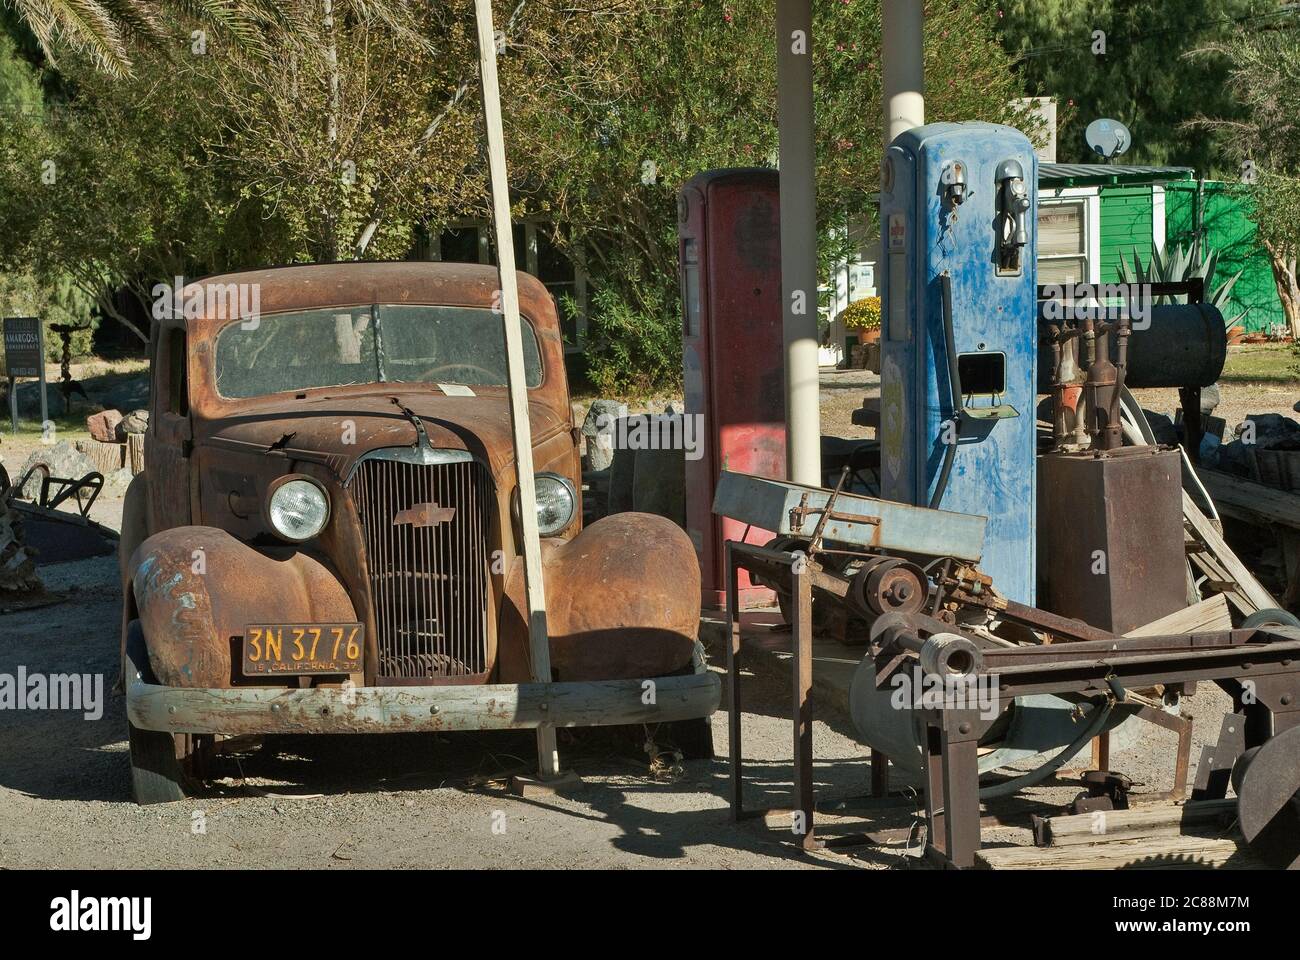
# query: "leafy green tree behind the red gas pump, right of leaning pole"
[665,92]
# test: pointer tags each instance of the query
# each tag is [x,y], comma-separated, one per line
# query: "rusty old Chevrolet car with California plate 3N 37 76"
[326,537]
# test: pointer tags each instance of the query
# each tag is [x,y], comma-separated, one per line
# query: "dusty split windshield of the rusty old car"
[384,343]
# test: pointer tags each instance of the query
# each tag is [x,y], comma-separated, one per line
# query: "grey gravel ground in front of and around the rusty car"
[426,802]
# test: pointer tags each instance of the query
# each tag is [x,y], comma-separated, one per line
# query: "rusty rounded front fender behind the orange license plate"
[197,589]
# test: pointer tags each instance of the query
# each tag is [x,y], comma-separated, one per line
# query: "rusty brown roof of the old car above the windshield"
[279,289]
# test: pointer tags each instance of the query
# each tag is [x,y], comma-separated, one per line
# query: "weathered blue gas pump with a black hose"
[960,335]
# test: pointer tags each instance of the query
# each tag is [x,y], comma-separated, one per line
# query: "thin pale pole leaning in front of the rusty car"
[540,647]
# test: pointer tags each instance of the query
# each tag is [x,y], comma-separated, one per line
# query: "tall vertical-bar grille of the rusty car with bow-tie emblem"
[428,570]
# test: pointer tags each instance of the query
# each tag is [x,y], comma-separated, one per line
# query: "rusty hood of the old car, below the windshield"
[318,430]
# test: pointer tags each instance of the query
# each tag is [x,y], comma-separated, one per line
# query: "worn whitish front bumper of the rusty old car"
[413,710]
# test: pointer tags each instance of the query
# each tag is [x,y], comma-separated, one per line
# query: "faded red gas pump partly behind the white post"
[733,347]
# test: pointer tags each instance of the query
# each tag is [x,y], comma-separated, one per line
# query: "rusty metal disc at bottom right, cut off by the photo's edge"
[1268,797]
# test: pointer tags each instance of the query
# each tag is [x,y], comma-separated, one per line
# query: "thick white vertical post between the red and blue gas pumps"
[799,240]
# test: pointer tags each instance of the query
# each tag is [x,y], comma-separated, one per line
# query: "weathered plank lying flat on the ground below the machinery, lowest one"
[1156,854]
